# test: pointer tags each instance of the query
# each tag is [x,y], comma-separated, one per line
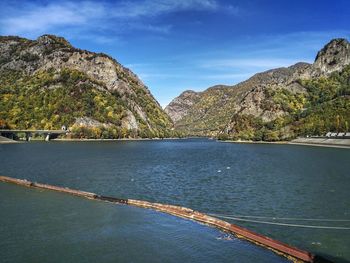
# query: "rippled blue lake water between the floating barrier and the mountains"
[209,176]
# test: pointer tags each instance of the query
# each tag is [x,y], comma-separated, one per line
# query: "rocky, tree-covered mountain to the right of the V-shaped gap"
[273,105]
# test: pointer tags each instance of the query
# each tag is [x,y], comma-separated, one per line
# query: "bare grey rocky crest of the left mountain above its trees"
[50,51]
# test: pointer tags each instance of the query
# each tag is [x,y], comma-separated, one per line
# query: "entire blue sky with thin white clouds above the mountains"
[175,45]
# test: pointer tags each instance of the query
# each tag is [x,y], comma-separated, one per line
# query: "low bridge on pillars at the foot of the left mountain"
[48,134]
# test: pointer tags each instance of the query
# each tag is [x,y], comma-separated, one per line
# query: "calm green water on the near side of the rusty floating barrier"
[44,226]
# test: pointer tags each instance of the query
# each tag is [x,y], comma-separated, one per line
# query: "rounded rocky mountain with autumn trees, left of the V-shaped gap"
[46,83]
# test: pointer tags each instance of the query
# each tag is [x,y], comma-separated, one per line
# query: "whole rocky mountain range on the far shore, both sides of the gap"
[47,83]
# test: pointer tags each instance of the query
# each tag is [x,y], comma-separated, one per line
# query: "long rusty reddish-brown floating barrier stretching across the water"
[292,253]
